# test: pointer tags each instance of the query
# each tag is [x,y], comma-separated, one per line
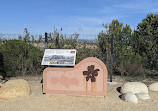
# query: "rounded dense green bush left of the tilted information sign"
[19,58]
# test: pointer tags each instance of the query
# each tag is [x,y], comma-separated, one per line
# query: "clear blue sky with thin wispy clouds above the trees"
[81,16]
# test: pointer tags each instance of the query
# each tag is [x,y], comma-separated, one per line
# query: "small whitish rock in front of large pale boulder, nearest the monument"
[130,97]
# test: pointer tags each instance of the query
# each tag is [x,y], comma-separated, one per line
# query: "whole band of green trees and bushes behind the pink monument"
[135,53]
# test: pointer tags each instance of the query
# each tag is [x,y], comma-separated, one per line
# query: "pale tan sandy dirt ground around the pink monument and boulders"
[39,102]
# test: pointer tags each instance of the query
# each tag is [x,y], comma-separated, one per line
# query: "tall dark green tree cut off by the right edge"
[145,41]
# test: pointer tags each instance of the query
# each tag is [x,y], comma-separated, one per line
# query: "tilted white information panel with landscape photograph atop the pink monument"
[59,57]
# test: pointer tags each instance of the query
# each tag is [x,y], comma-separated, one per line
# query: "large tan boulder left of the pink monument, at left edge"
[14,89]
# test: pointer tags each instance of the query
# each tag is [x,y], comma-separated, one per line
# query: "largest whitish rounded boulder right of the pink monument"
[134,87]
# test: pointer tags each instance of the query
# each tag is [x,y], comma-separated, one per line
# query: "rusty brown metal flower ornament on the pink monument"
[91,73]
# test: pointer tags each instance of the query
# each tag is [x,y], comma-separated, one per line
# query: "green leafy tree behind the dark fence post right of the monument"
[124,56]
